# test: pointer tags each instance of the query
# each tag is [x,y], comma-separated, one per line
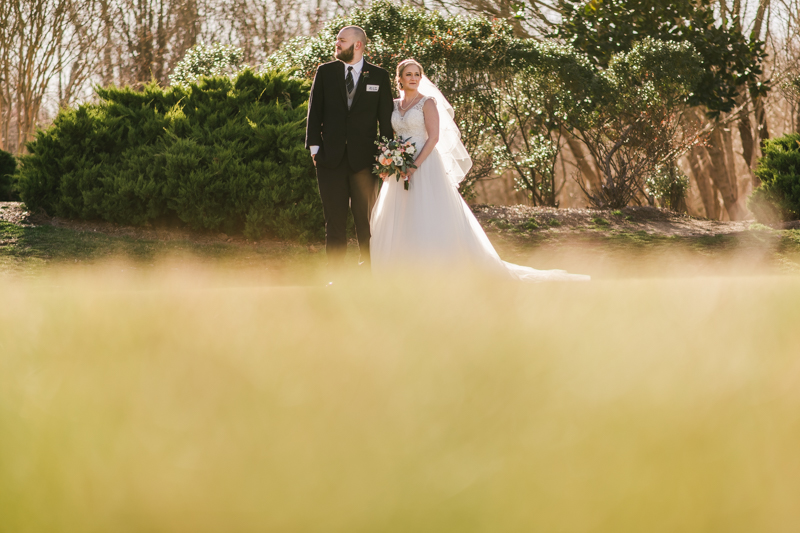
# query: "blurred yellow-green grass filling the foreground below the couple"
[199,401]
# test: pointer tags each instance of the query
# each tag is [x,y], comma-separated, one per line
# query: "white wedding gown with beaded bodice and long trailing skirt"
[429,225]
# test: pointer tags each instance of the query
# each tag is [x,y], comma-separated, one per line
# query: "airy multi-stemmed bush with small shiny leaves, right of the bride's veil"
[635,122]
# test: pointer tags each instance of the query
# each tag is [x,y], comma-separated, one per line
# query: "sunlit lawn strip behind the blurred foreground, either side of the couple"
[599,252]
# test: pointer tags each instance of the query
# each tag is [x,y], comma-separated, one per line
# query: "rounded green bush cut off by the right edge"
[778,196]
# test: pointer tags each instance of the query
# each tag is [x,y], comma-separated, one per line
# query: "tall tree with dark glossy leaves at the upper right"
[733,73]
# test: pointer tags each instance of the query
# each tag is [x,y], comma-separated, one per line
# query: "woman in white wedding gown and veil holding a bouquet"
[429,224]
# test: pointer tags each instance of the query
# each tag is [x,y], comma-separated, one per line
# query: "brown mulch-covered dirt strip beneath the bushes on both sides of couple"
[533,219]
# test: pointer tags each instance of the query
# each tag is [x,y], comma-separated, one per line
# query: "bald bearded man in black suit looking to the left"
[350,100]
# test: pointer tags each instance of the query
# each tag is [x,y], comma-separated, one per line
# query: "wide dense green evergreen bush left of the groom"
[220,154]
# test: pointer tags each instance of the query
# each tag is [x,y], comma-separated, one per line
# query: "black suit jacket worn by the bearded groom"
[331,126]
